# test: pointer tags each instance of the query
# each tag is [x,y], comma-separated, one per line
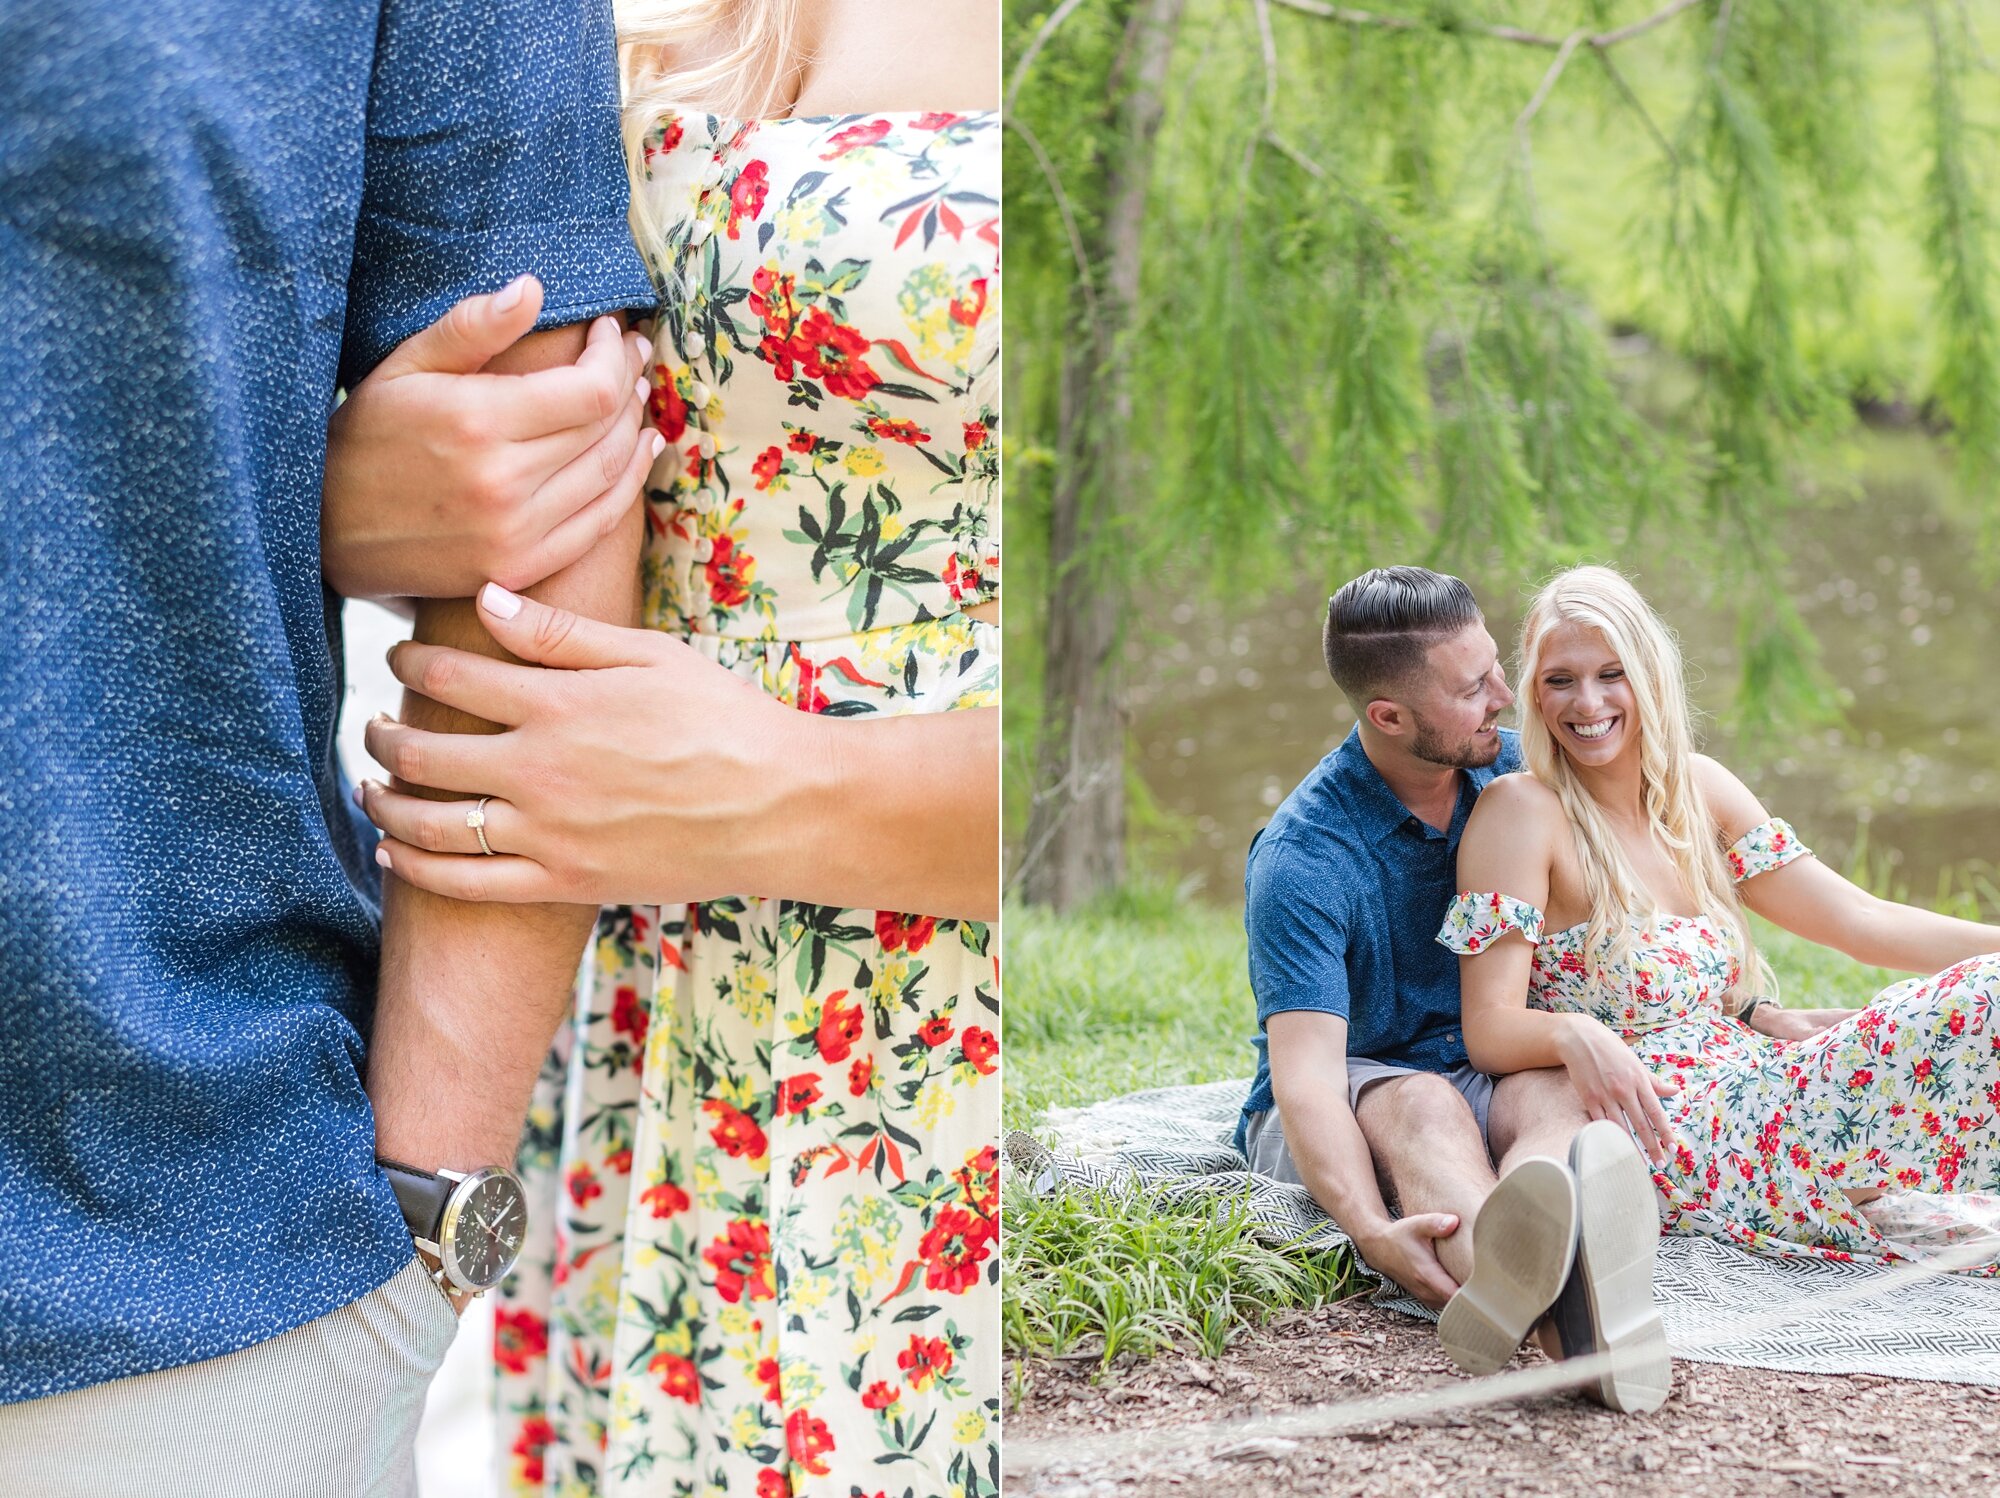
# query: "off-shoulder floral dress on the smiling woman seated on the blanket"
[1901,1097]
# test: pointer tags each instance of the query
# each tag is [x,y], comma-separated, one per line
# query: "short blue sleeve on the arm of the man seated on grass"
[1297,925]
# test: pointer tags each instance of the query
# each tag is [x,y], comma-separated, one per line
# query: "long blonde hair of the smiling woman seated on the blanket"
[1677,813]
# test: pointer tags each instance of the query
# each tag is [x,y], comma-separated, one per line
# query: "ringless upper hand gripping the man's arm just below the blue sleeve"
[441,477]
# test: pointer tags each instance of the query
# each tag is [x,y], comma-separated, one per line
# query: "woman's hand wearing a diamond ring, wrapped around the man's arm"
[635,773]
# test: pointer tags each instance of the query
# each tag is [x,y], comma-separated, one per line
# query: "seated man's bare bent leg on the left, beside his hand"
[1429,1147]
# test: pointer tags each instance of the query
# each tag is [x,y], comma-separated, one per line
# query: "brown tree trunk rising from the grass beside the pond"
[1077,825]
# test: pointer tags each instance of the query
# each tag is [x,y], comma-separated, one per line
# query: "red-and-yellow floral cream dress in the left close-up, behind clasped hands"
[763,1153]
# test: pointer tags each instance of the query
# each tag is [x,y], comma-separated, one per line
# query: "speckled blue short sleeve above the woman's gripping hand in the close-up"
[493,151]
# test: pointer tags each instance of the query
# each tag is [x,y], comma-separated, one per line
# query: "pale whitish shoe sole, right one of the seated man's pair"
[1619,1235]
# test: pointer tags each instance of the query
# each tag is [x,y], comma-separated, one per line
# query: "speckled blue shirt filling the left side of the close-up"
[211,213]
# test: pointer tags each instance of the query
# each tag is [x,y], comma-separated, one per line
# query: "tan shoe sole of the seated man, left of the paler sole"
[1523,1245]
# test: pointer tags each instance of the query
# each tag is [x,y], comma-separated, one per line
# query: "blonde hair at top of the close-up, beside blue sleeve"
[735,59]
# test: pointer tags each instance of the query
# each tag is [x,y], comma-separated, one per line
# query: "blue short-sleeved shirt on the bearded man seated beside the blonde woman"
[1343,901]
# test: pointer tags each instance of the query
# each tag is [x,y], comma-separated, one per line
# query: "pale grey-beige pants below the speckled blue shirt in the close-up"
[325,1411]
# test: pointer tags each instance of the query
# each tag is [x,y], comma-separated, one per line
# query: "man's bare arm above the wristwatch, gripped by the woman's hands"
[471,995]
